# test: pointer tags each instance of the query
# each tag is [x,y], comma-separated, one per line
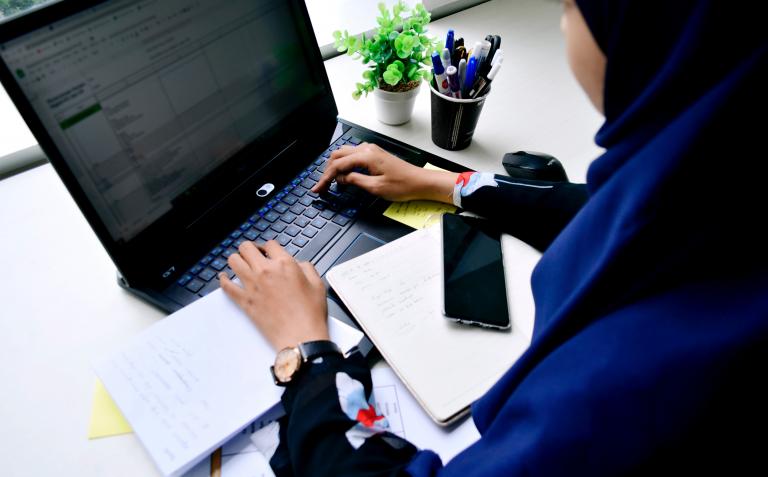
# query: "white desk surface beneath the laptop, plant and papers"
[60,306]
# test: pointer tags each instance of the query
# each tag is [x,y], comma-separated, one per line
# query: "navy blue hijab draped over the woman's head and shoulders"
[650,345]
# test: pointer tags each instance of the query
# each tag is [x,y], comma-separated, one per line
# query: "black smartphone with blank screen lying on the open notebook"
[474,289]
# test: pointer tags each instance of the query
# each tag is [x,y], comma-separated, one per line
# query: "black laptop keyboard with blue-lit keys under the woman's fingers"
[302,221]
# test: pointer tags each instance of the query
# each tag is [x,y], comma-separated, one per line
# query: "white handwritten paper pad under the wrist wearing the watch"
[195,379]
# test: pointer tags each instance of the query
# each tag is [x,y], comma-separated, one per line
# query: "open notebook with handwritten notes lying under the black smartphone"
[394,294]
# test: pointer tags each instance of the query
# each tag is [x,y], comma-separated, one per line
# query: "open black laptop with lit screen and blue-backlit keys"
[183,127]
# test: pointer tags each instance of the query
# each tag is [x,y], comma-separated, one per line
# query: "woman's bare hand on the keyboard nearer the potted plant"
[388,176]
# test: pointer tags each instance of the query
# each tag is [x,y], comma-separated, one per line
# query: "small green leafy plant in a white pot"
[397,56]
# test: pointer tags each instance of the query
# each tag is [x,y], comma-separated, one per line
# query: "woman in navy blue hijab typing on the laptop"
[651,332]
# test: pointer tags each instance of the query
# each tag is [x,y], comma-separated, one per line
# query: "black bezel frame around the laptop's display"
[163,250]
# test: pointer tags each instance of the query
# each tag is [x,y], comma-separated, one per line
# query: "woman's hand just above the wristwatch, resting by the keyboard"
[284,299]
